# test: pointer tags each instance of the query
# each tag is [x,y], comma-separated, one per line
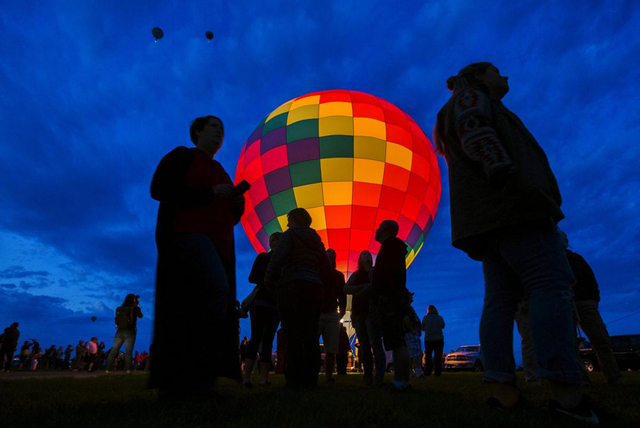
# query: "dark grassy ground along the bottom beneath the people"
[453,400]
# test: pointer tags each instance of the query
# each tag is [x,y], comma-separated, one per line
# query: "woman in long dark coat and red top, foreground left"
[195,281]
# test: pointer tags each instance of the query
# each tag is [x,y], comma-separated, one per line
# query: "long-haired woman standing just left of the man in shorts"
[359,286]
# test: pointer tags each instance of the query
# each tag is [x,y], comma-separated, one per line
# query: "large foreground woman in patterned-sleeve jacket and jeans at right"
[505,204]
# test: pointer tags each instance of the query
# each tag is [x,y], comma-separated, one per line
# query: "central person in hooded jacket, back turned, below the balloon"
[296,271]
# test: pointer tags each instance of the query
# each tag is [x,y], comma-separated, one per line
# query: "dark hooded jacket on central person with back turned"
[299,256]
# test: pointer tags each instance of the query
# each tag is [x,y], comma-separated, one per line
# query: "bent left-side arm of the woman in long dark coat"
[167,184]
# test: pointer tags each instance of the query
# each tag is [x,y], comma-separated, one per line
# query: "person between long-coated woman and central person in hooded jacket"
[264,317]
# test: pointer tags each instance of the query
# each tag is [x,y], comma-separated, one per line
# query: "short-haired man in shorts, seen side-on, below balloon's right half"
[389,291]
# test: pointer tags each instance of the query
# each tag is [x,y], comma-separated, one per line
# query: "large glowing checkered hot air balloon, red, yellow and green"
[351,160]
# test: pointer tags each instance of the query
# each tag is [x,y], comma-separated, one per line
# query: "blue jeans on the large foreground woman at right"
[530,257]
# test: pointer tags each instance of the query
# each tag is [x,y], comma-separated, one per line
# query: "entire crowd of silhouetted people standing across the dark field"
[504,204]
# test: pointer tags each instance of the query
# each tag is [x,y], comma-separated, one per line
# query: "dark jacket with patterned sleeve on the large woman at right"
[499,176]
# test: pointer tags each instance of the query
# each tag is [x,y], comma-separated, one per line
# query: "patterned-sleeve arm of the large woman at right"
[478,138]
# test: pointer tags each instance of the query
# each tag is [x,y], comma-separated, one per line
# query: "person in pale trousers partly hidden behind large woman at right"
[586,295]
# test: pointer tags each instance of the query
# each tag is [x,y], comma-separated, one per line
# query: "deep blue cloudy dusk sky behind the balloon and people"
[90,103]
